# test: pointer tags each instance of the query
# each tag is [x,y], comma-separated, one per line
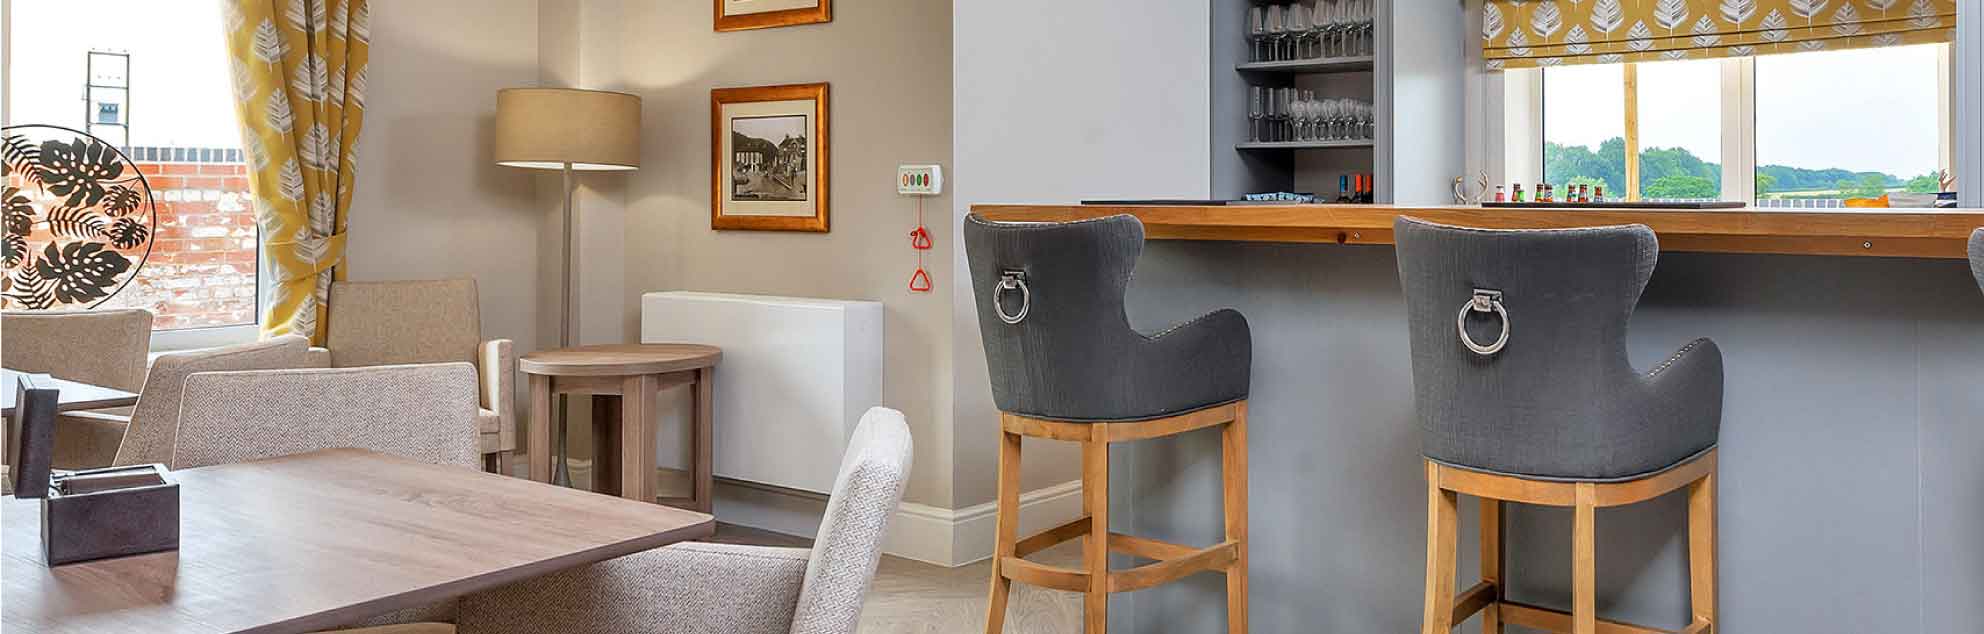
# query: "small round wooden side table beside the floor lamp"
[622,381]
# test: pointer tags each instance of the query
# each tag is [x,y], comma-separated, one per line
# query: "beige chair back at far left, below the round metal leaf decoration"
[98,348]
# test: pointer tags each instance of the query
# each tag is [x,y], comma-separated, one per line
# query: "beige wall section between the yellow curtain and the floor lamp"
[430,203]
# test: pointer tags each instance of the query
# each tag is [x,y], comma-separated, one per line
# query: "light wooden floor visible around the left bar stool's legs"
[914,597]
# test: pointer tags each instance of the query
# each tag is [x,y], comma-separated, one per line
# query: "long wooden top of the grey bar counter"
[1806,233]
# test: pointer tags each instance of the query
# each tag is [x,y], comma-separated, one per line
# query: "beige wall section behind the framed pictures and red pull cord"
[890,72]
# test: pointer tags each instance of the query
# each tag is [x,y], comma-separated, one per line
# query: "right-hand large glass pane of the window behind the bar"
[1860,124]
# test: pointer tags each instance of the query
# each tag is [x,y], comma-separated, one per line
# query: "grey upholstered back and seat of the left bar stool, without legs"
[1056,336]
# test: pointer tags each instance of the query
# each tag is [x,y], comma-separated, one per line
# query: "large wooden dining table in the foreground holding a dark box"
[324,540]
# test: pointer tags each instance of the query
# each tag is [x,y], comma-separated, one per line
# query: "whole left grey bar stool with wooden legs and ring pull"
[1066,366]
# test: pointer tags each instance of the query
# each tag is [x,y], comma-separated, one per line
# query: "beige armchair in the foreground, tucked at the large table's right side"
[705,587]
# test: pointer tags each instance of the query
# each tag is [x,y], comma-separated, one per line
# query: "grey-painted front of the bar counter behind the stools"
[1852,449]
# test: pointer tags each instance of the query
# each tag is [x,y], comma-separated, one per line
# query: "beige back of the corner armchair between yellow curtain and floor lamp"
[404,322]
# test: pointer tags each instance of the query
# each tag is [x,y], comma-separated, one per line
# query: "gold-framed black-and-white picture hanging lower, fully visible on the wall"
[769,158]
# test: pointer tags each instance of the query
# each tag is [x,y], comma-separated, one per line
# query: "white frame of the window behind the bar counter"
[1521,100]
